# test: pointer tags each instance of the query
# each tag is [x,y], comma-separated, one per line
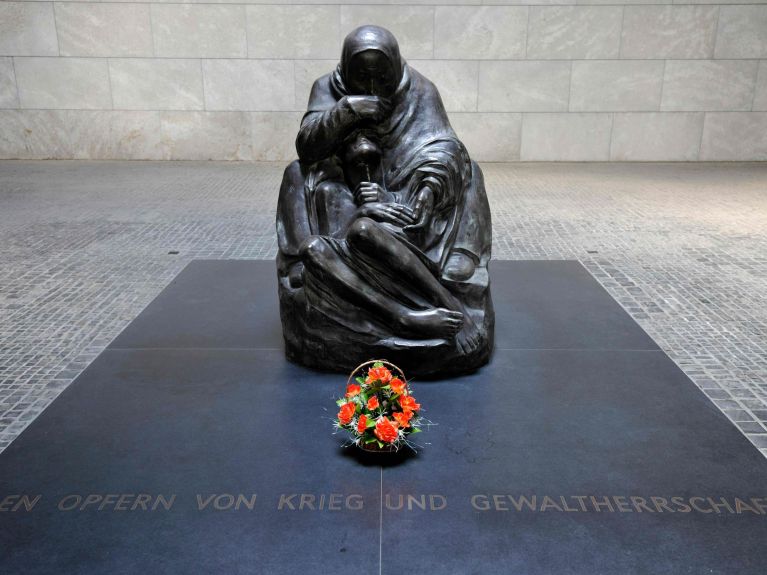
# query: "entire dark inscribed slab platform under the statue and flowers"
[196,448]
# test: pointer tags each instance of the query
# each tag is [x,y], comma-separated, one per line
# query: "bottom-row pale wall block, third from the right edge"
[566,137]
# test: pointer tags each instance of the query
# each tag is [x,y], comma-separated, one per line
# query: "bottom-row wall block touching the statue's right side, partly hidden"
[489,137]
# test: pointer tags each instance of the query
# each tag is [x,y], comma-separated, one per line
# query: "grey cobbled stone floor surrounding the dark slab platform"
[85,246]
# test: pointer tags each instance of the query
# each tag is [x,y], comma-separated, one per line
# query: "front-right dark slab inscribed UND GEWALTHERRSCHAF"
[568,423]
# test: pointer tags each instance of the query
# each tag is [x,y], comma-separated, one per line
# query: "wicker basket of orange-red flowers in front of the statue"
[378,409]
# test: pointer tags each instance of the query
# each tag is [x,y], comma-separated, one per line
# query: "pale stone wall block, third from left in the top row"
[199,30]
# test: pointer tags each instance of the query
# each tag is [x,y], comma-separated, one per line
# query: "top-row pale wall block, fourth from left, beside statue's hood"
[293,31]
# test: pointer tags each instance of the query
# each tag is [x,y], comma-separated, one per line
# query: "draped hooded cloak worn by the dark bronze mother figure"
[419,148]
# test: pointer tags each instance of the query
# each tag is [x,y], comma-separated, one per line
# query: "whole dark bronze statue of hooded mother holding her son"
[383,223]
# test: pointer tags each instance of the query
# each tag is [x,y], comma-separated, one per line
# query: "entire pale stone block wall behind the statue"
[547,80]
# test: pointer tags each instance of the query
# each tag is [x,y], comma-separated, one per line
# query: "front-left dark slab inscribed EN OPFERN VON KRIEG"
[187,422]
